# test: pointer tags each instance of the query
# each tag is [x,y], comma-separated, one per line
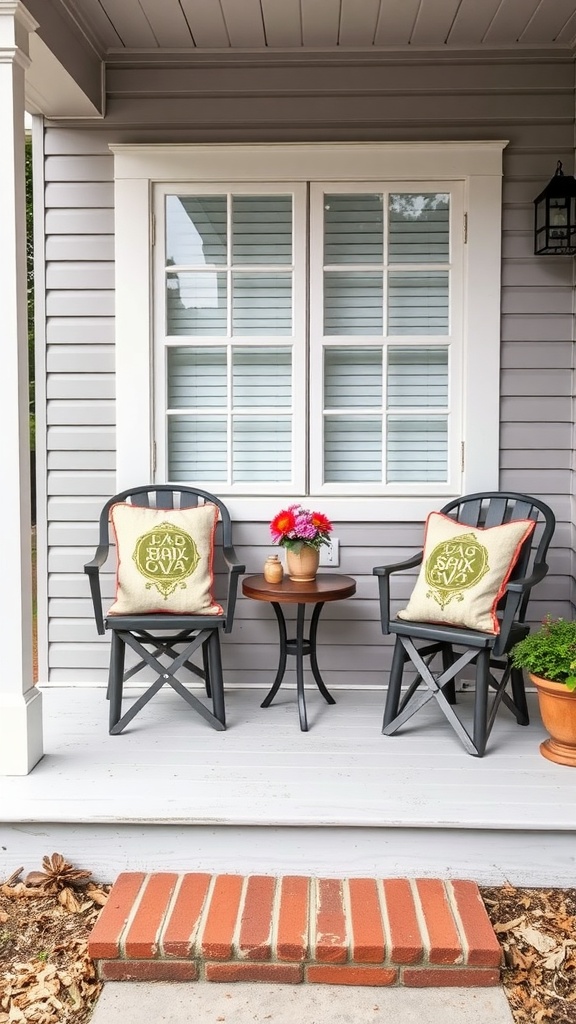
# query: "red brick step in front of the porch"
[170,927]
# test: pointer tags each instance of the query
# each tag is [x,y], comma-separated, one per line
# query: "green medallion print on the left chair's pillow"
[167,558]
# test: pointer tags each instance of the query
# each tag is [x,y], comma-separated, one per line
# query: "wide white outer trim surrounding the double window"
[477,165]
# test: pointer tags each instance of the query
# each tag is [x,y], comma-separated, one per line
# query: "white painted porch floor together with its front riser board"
[172,793]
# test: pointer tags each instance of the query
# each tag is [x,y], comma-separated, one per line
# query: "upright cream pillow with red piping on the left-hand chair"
[164,561]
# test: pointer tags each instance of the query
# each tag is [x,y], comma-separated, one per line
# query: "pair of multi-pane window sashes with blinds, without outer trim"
[382,331]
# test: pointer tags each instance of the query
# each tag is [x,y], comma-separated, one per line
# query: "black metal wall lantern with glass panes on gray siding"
[555,217]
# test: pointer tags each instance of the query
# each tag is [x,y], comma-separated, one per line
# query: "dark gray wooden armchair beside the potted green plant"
[420,644]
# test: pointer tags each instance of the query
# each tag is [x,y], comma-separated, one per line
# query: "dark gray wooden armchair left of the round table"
[159,635]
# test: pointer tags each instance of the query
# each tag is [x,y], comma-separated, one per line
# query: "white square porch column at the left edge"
[21,703]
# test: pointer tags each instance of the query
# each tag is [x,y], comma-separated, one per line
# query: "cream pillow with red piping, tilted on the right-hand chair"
[465,572]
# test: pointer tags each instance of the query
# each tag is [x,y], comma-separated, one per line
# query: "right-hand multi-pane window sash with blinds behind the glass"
[384,263]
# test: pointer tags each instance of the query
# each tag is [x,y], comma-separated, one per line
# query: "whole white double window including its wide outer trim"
[312,335]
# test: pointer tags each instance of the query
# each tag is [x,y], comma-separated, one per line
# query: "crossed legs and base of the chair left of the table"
[209,641]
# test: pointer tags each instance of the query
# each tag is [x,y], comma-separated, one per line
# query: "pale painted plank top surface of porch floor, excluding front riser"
[171,766]
